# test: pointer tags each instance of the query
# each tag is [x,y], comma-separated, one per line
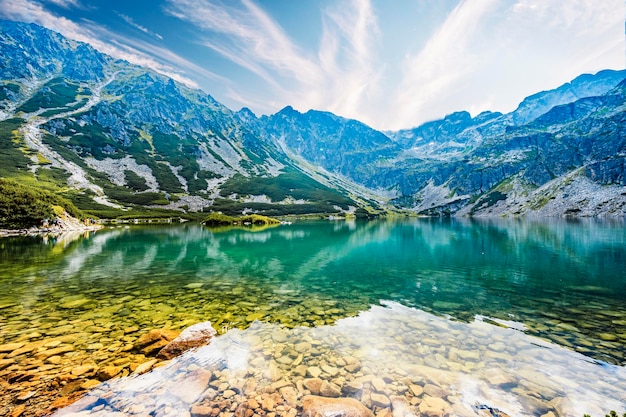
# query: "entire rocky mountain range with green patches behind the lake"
[115,138]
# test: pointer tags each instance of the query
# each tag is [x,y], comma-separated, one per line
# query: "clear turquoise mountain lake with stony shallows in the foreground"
[408,317]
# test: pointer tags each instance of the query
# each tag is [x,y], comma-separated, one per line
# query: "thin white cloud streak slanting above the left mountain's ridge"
[103,40]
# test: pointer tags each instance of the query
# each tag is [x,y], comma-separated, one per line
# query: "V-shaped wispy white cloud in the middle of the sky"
[339,77]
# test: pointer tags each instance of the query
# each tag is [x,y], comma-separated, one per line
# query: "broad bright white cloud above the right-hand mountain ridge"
[489,55]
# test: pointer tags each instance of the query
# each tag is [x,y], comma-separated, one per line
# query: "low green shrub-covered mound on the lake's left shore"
[22,206]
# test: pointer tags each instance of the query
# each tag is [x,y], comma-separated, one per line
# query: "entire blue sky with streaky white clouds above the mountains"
[390,63]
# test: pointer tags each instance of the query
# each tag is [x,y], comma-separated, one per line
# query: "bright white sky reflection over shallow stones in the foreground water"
[389,359]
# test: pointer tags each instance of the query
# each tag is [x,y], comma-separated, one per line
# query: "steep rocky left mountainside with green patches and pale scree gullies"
[125,137]
